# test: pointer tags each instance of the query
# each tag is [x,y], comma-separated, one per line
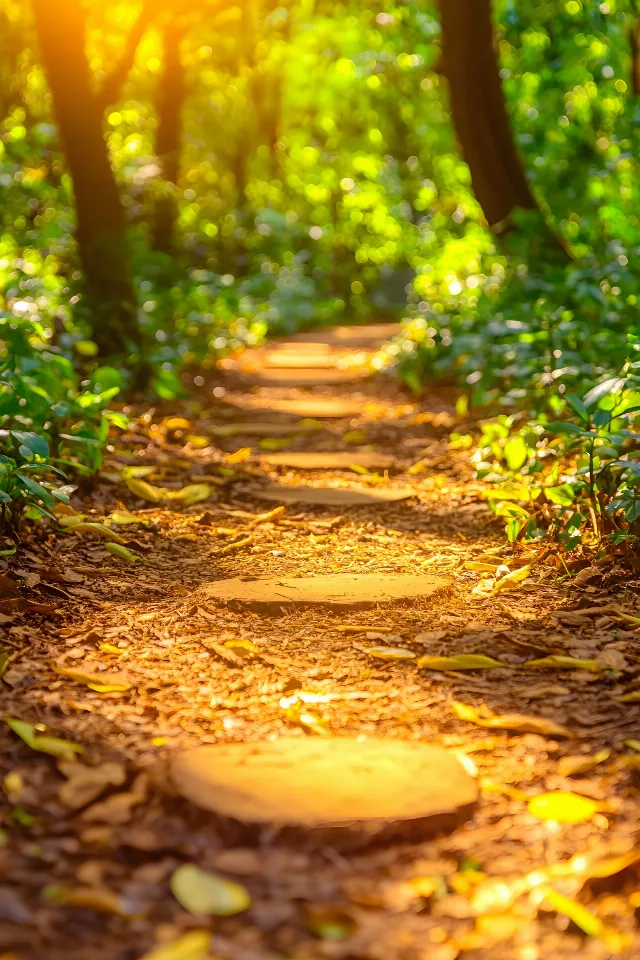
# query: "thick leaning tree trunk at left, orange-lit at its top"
[100,230]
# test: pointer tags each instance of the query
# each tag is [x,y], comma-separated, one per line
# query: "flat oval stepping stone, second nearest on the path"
[333,591]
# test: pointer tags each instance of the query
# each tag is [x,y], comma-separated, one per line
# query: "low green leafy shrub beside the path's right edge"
[571,479]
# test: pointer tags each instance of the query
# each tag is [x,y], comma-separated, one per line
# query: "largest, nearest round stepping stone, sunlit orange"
[373,787]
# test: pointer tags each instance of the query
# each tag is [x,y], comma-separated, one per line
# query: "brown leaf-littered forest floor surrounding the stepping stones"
[86,858]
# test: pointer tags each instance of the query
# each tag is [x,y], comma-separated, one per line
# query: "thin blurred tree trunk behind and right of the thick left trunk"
[171,97]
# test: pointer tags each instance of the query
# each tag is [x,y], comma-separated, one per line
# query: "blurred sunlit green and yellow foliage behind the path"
[283,166]
